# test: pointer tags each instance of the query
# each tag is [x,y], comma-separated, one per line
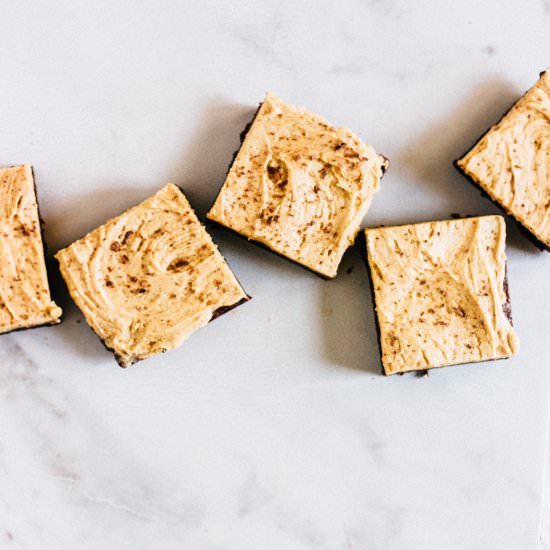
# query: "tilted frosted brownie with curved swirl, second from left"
[149,278]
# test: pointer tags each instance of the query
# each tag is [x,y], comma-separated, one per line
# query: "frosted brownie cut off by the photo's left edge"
[25,299]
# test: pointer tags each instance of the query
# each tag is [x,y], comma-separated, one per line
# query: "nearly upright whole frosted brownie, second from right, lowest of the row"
[441,294]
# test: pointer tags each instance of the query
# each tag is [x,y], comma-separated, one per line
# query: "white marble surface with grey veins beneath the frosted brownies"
[271,428]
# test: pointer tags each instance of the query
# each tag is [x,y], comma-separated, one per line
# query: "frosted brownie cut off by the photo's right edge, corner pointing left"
[511,162]
